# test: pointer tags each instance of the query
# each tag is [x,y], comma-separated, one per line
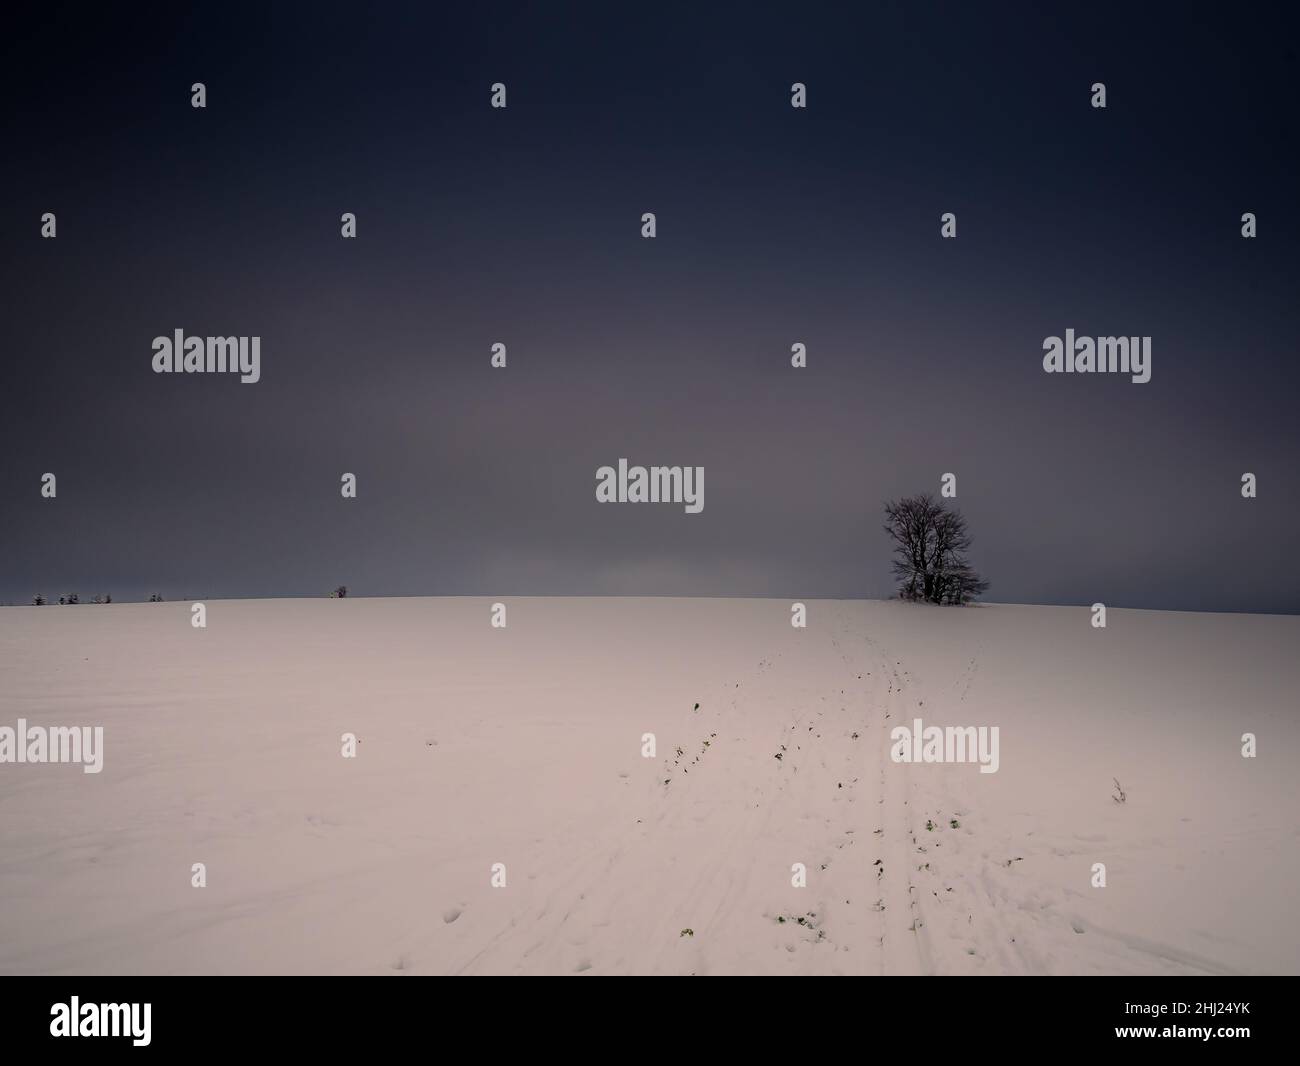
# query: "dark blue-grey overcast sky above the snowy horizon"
[523,227]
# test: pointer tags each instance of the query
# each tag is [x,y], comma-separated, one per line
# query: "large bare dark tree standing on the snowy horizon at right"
[930,549]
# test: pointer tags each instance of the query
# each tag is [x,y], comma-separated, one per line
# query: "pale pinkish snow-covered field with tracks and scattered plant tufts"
[523,747]
